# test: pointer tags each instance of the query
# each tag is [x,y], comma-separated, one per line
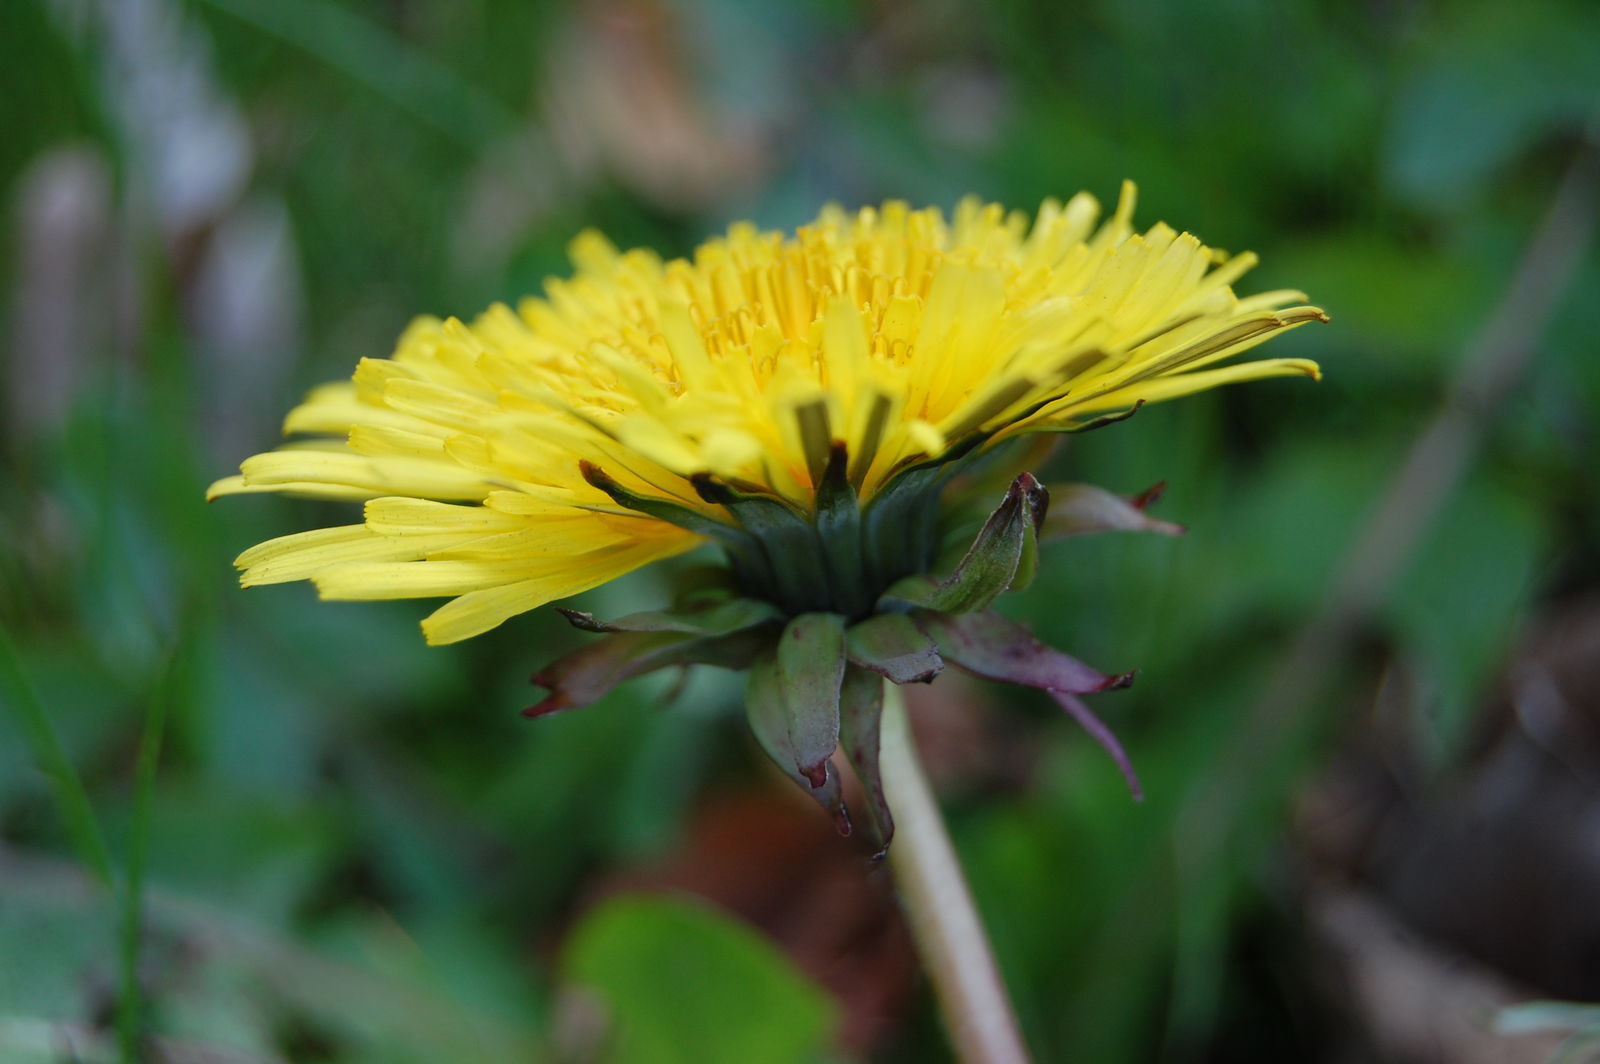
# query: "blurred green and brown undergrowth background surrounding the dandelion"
[1370,817]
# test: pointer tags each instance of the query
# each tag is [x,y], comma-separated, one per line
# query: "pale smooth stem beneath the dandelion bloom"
[940,906]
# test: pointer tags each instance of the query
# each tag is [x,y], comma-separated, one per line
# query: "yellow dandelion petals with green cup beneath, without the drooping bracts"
[818,383]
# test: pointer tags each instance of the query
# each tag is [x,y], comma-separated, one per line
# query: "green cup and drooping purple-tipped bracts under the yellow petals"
[823,609]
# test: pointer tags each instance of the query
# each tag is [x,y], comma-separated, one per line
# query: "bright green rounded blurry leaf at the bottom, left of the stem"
[684,985]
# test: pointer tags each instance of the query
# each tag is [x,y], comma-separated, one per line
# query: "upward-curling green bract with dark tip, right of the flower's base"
[1001,558]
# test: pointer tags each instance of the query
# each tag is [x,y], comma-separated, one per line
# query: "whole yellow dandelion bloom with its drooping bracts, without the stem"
[817,406]
